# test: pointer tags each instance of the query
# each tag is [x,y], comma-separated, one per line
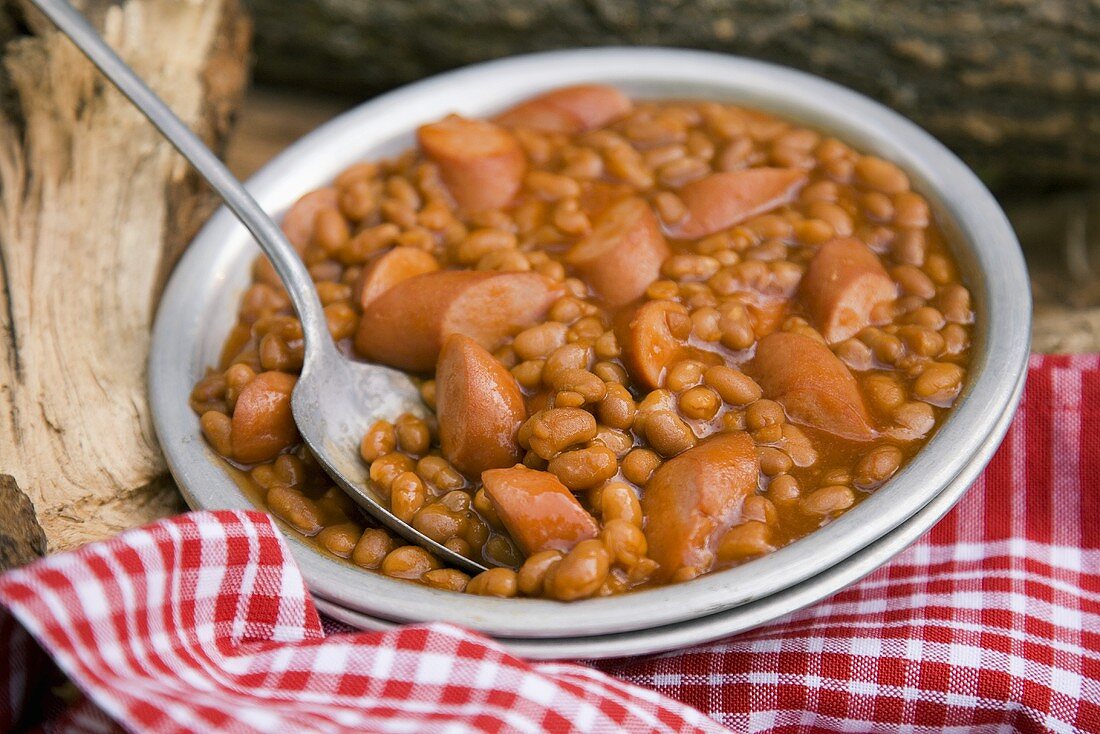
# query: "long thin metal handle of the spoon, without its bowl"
[267,233]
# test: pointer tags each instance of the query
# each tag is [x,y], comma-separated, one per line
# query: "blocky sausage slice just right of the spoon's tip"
[537,510]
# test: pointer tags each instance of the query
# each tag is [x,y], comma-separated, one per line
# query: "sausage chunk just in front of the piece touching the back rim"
[481,163]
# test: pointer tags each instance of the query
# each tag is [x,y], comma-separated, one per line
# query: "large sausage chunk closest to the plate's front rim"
[692,500]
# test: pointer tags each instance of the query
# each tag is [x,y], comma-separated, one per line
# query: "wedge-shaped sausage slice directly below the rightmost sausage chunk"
[812,385]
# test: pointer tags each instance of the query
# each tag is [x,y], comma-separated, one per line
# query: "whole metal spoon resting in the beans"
[336,400]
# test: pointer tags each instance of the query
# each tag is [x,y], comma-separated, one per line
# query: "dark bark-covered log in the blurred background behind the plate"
[1013,86]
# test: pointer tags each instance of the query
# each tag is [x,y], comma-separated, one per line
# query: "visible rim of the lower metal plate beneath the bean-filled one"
[747,617]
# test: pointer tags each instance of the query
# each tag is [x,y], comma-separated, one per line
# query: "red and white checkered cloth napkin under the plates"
[989,623]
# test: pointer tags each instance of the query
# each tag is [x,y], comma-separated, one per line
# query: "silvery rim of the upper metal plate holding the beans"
[195,314]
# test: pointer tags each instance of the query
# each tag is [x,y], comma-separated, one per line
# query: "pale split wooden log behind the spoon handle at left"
[94,209]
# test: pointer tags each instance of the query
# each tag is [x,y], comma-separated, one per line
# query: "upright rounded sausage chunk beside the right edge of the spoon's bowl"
[480,409]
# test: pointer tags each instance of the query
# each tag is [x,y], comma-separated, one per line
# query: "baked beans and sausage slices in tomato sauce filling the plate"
[658,339]
